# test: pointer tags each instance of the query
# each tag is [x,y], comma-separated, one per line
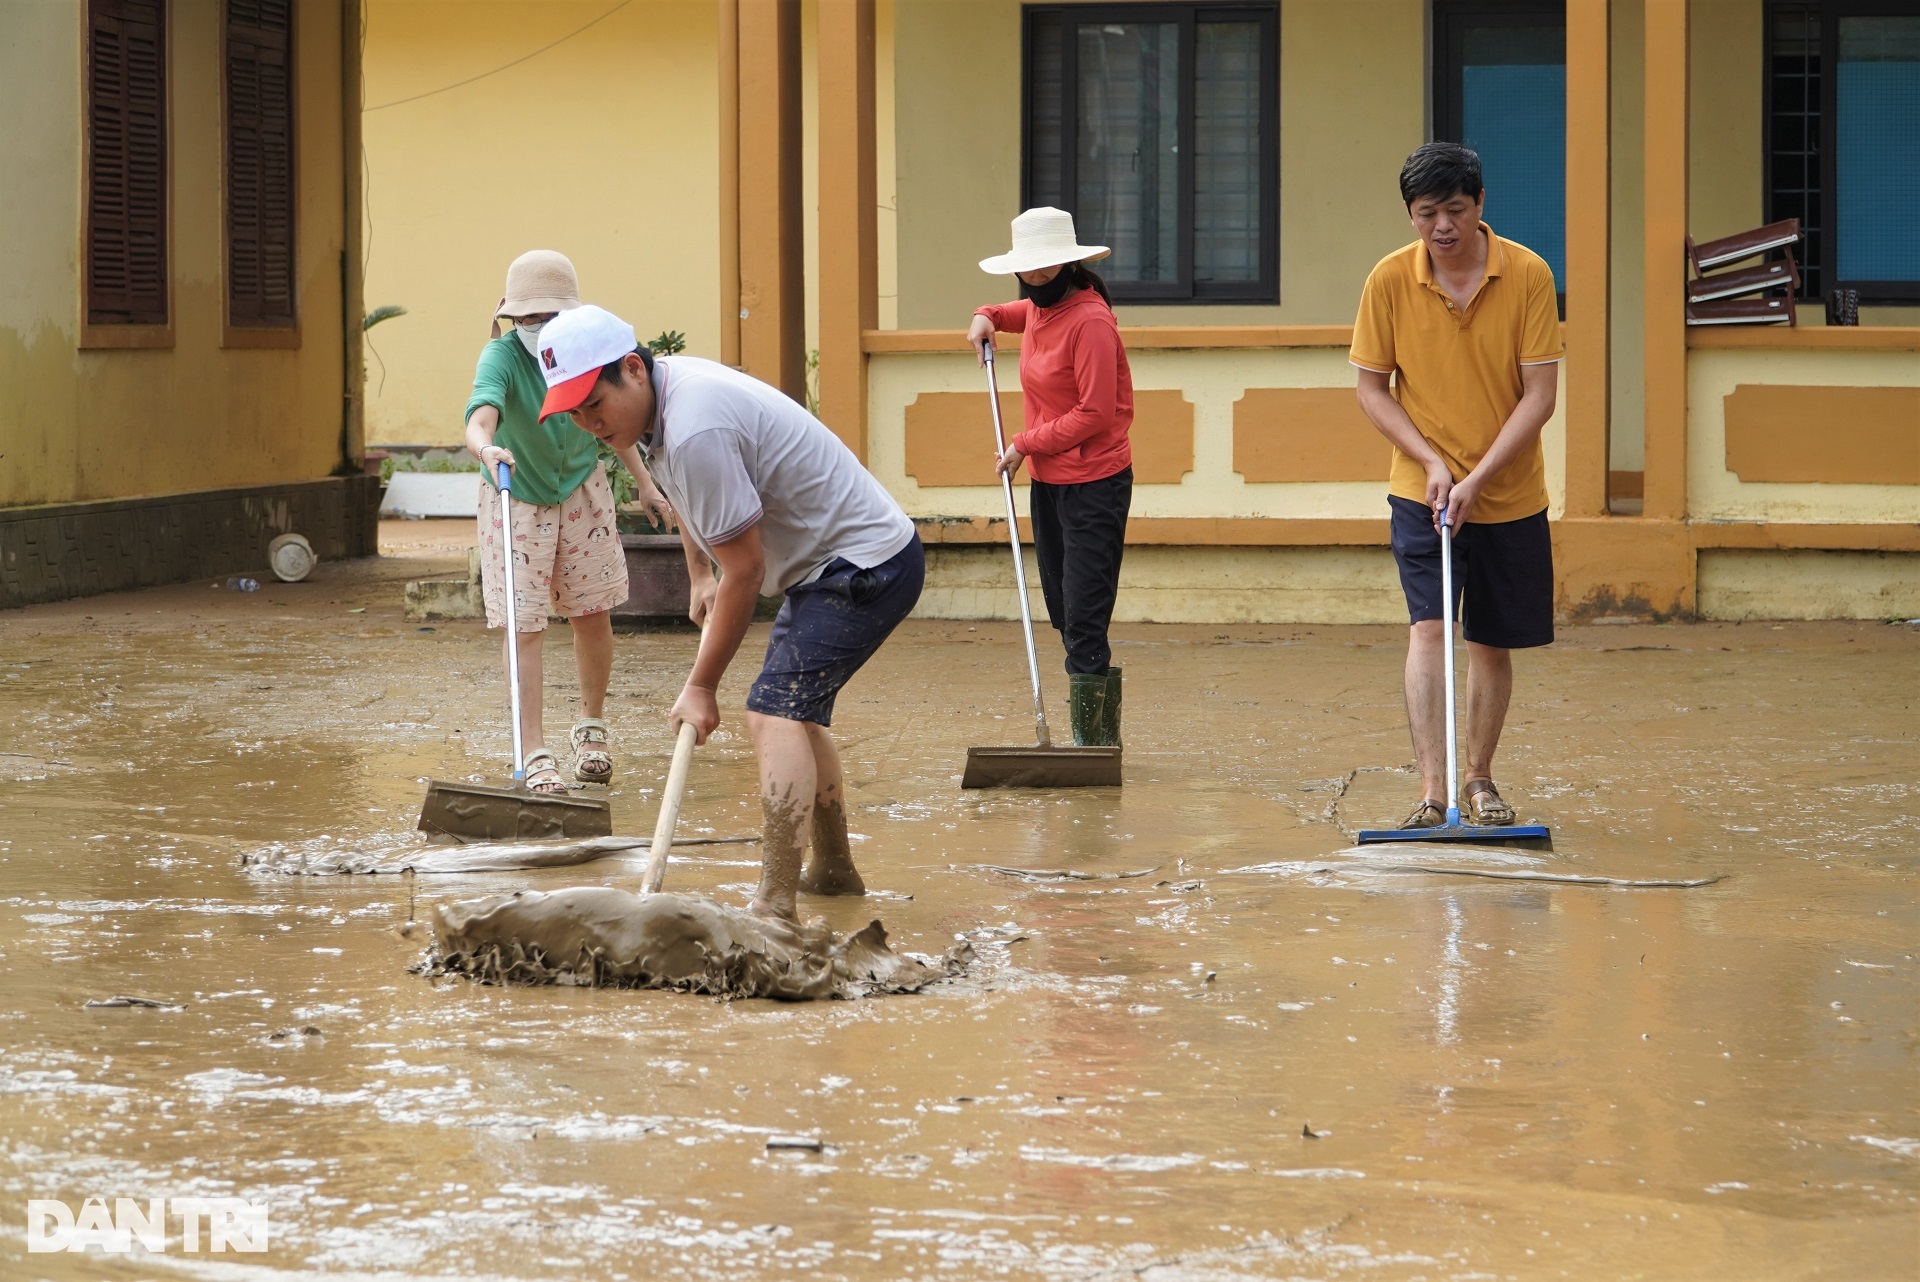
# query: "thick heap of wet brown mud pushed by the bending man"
[600,938]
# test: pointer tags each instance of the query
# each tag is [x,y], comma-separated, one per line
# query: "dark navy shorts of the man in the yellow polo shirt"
[1502,575]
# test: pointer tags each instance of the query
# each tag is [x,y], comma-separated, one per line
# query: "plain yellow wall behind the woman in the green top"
[604,149]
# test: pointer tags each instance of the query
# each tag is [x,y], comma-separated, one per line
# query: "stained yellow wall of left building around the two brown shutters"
[130,423]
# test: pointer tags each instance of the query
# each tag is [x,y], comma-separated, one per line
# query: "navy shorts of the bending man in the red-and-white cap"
[828,629]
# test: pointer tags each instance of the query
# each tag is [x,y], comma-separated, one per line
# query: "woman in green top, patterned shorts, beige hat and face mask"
[565,546]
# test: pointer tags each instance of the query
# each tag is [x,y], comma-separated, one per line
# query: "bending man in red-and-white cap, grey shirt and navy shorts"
[777,502]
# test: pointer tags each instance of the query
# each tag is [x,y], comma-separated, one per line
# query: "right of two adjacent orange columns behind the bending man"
[850,216]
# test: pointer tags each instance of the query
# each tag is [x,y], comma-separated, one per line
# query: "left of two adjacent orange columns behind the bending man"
[773,285]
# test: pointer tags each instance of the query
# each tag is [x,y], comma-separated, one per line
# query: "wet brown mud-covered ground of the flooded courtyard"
[1259,1060]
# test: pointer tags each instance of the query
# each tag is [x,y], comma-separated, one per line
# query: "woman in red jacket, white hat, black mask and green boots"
[1078,396]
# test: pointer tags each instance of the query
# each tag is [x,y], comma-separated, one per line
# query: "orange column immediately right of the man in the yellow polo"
[1589,256]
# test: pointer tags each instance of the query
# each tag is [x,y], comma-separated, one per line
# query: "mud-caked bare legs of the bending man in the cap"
[800,801]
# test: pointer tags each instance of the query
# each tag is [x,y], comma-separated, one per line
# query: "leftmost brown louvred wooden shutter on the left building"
[128,162]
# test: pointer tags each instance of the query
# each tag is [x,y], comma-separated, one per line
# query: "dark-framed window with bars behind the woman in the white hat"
[1157,128]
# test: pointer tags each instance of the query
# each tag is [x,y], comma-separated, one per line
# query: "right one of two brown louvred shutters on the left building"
[260,164]
